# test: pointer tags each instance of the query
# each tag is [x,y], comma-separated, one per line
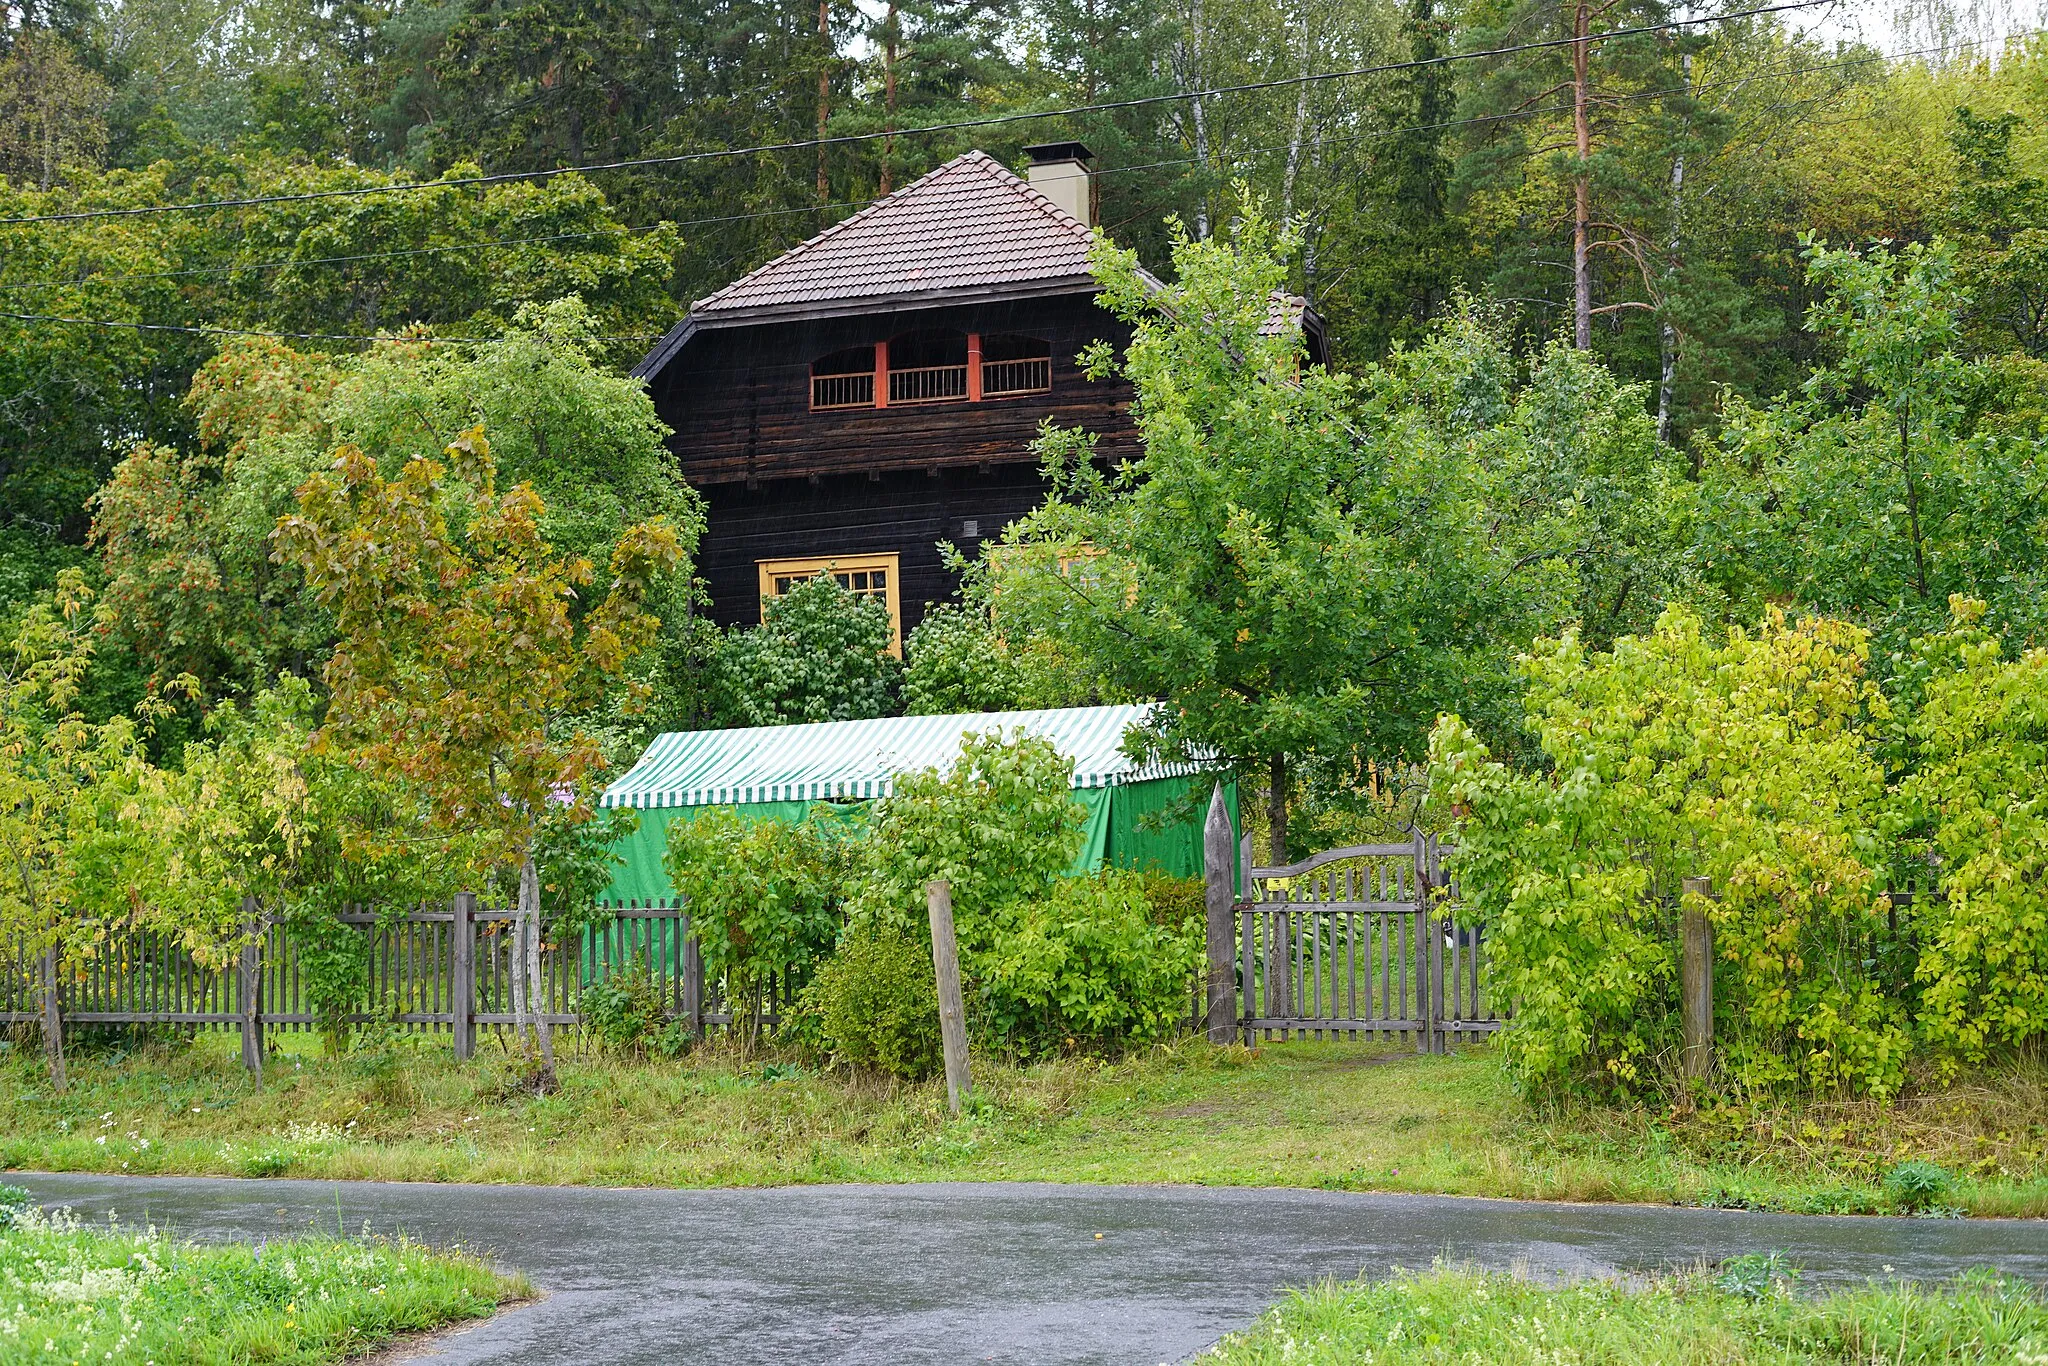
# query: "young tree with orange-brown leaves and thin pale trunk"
[462,658]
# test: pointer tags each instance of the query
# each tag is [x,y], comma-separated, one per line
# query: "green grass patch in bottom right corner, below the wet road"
[1457,1316]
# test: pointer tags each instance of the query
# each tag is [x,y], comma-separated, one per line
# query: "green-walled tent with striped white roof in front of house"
[781,771]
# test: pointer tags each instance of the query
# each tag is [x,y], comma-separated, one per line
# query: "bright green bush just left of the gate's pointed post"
[1084,970]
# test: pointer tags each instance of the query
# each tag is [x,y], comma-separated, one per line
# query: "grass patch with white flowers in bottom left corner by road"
[77,1293]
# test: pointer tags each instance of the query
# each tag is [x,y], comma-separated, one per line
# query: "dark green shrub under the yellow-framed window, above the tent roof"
[820,654]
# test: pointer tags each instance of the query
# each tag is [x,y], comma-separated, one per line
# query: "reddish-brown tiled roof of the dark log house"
[966,228]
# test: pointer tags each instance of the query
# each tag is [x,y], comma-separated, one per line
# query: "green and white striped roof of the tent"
[861,759]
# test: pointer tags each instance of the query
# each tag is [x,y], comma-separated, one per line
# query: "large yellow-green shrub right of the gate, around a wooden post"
[1750,763]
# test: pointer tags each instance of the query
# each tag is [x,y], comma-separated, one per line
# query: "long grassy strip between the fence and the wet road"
[1338,1117]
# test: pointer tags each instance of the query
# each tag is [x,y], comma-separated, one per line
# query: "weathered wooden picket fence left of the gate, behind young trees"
[429,970]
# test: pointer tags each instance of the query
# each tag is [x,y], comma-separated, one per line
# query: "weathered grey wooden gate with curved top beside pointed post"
[1359,943]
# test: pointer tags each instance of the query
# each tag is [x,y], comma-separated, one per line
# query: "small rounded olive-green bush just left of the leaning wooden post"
[878,1005]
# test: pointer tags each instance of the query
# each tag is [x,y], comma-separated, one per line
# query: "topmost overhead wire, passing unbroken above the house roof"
[931,128]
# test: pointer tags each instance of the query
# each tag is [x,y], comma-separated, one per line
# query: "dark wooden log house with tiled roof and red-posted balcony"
[878,390]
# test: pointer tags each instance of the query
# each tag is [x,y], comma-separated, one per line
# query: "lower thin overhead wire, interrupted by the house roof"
[1109,171]
